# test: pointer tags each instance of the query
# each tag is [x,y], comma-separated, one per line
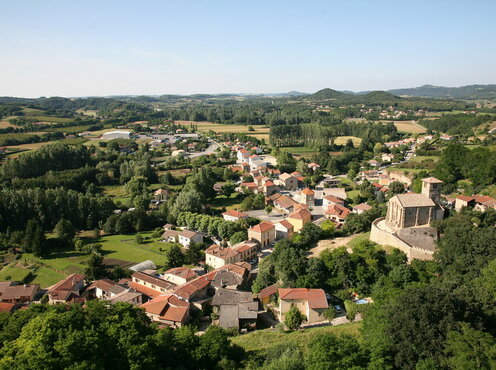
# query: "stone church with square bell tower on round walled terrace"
[407,222]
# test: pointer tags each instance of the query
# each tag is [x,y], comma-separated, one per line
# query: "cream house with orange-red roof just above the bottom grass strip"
[310,302]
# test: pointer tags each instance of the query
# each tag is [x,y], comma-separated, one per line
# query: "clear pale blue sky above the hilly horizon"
[114,47]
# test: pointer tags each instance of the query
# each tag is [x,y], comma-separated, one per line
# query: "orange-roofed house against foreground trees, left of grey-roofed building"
[167,309]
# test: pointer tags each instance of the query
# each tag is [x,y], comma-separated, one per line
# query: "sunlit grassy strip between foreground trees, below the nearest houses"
[265,339]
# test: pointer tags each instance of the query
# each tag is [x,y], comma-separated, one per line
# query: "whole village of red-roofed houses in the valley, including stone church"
[218,290]
